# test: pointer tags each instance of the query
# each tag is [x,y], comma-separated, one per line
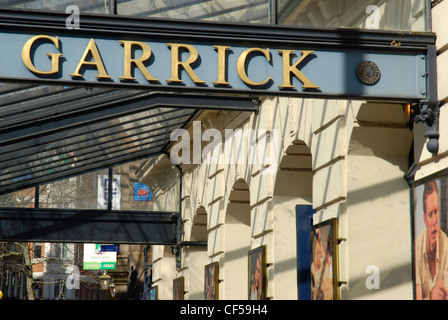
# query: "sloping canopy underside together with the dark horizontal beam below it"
[50,133]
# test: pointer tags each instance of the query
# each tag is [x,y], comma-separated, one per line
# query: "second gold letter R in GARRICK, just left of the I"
[186,65]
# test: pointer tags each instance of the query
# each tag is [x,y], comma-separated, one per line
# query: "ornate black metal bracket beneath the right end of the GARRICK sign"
[427,112]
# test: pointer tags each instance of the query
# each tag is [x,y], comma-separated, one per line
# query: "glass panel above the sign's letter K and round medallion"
[404,15]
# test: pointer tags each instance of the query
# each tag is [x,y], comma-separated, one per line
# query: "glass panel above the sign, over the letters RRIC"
[251,11]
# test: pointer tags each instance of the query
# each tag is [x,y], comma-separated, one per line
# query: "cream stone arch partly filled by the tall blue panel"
[293,187]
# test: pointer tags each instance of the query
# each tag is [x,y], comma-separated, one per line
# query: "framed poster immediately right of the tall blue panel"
[324,257]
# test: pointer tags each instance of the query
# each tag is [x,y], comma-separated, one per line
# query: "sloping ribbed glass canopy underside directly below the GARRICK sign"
[54,132]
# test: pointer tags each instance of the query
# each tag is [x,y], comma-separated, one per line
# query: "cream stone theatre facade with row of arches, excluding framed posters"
[347,160]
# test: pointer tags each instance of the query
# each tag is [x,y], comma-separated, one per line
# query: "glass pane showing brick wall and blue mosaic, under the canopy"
[131,193]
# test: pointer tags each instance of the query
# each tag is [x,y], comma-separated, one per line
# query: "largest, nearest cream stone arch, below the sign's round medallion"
[377,218]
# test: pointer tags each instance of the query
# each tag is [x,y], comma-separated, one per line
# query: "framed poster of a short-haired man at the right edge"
[430,238]
